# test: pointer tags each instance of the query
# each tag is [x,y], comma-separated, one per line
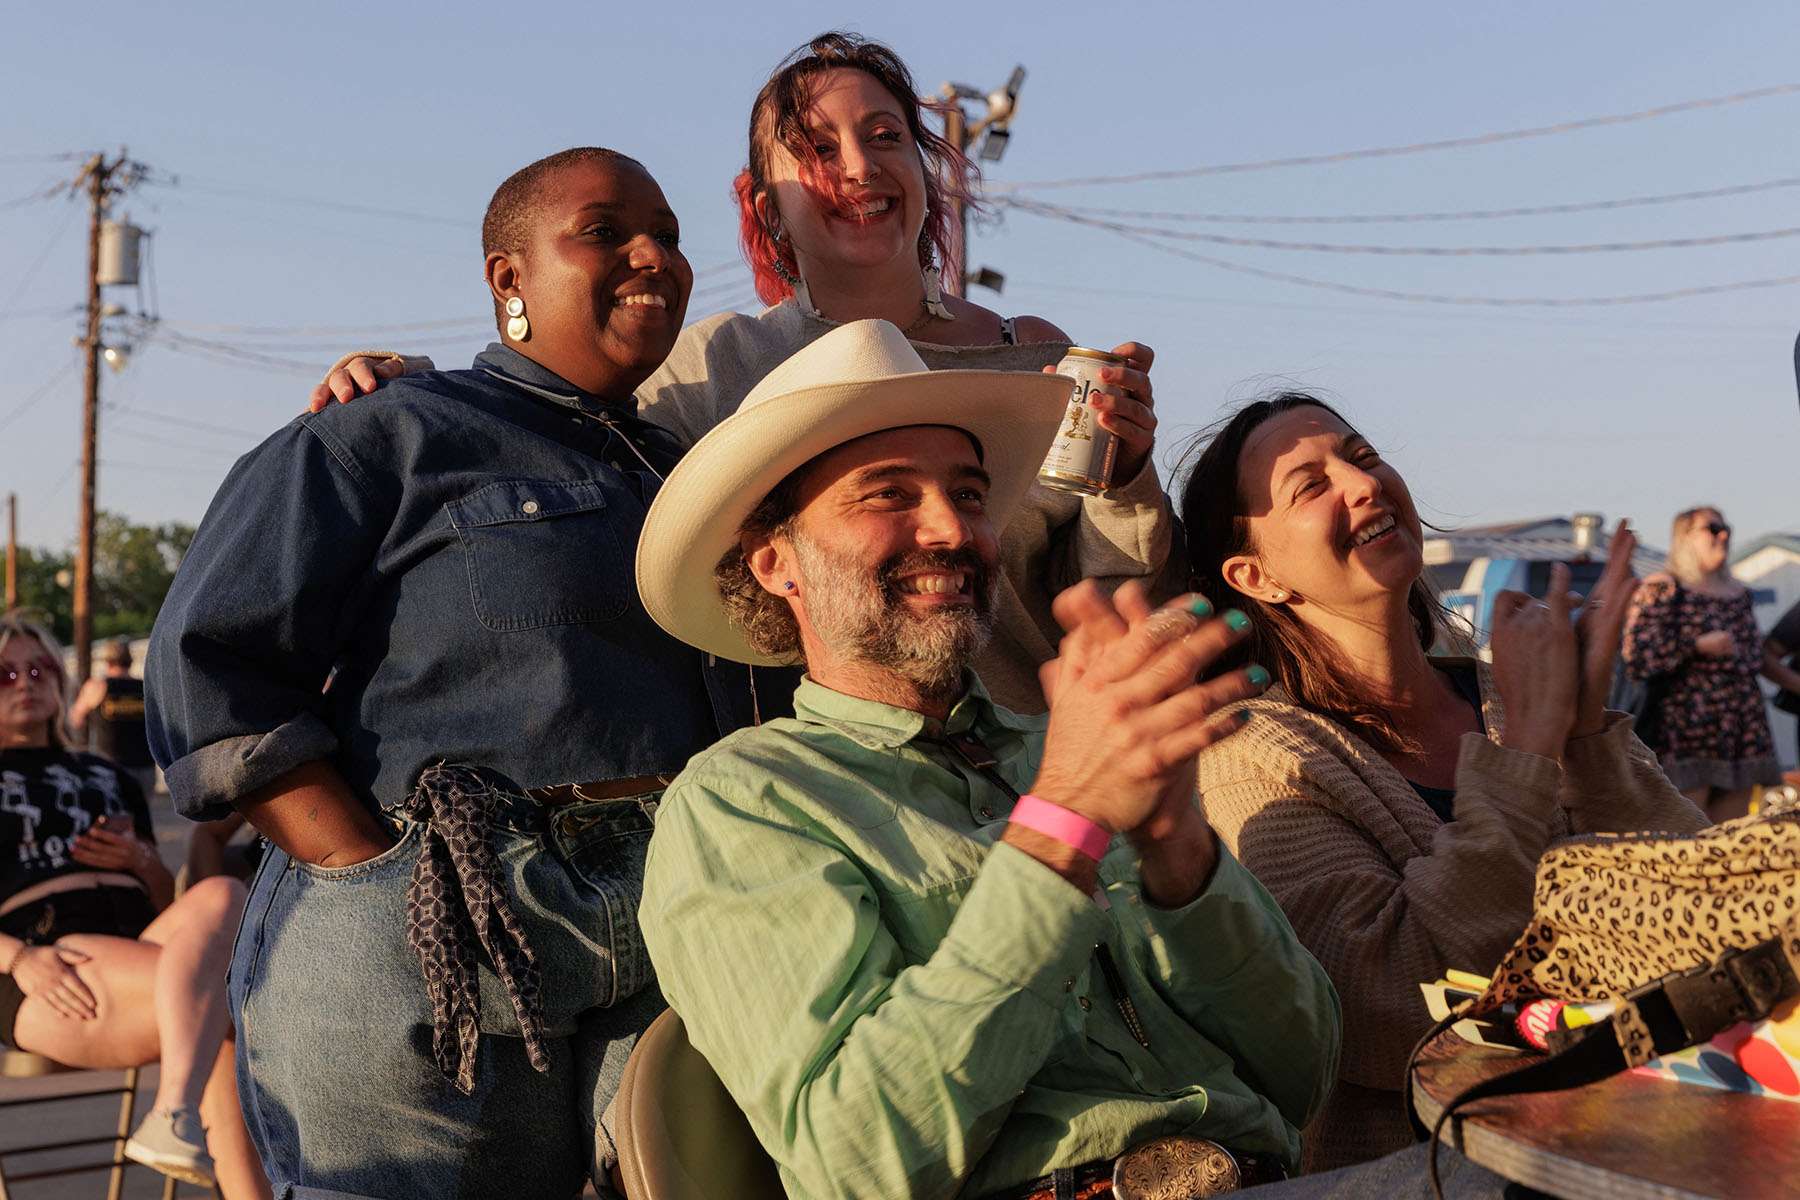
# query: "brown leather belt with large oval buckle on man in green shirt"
[1165,1169]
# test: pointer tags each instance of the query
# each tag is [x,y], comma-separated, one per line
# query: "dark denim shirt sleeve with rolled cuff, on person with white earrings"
[256,618]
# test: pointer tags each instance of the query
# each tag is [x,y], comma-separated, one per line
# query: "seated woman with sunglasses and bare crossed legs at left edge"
[102,969]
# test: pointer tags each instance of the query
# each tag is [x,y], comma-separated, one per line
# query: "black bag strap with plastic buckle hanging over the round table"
[1657,1019]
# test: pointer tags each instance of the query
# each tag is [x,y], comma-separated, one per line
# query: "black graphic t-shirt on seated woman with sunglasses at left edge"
[46,800]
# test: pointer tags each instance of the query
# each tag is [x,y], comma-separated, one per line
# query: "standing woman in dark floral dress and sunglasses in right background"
[1693,641]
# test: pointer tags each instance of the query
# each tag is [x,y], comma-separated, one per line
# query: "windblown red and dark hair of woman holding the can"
[778,116]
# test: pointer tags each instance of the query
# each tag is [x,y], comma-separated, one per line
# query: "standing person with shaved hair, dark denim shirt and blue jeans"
[440,972]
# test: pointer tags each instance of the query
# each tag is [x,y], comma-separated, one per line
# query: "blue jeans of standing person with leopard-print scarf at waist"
[336,1028]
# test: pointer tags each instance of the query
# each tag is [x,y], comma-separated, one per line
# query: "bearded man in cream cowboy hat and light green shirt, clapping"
[913,981]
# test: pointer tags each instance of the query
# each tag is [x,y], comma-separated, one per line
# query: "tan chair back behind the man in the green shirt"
[679,1133]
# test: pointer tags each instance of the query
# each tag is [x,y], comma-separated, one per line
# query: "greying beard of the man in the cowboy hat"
[863,616]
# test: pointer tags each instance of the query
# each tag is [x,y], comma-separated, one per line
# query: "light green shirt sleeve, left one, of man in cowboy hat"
[850,1059]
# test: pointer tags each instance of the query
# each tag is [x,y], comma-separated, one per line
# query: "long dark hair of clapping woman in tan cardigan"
[1302,659]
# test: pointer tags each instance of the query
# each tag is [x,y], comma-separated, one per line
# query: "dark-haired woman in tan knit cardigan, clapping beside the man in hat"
[1396,803]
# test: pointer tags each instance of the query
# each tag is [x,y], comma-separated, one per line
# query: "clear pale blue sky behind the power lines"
[334,163]
